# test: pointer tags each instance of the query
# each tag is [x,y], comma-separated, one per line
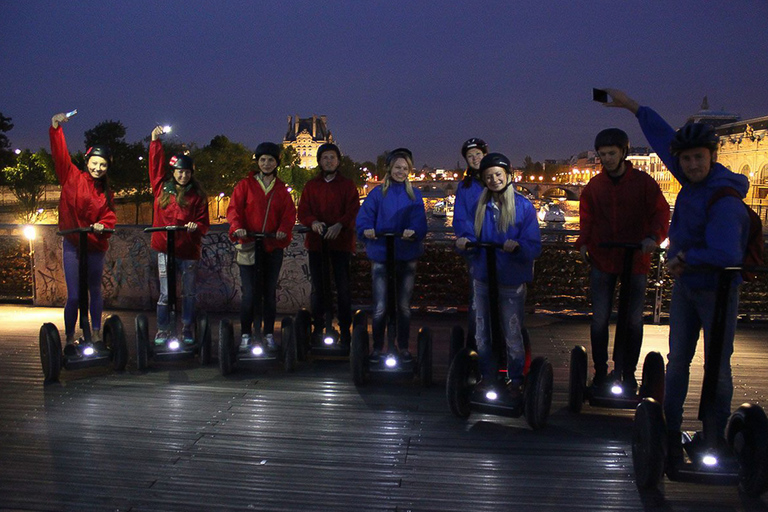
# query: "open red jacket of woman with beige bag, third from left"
[248,209]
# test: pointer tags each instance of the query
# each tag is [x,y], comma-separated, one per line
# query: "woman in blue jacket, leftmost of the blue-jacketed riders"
[393,207]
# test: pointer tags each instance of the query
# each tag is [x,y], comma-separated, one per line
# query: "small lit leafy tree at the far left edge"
[27,181]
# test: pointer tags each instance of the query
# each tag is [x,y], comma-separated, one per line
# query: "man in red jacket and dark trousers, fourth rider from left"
[329,205]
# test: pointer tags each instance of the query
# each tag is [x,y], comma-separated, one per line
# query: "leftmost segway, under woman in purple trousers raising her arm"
[84,352]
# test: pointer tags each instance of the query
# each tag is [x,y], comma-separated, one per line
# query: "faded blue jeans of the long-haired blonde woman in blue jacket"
[512,309]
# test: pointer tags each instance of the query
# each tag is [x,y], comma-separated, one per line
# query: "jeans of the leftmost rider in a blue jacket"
[405,272]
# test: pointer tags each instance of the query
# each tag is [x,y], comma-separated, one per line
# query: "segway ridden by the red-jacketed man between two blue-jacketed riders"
[613,393]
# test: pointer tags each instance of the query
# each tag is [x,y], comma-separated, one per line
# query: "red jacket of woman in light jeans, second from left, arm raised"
[187,244]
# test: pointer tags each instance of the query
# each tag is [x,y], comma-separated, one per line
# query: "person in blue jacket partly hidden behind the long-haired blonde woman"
[467,193]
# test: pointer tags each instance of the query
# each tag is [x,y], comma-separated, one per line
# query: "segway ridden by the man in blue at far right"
[745,459]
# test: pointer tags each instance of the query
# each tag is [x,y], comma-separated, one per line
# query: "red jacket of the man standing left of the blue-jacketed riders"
[330,202]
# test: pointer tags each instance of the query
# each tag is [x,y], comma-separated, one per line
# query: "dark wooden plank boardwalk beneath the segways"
[184,438]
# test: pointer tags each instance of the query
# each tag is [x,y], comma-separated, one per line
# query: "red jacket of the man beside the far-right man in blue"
[629,210]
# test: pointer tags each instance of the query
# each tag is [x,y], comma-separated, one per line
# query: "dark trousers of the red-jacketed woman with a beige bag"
[260,305]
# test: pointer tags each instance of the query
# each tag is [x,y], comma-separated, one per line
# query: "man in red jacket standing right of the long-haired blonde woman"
[621,204]
